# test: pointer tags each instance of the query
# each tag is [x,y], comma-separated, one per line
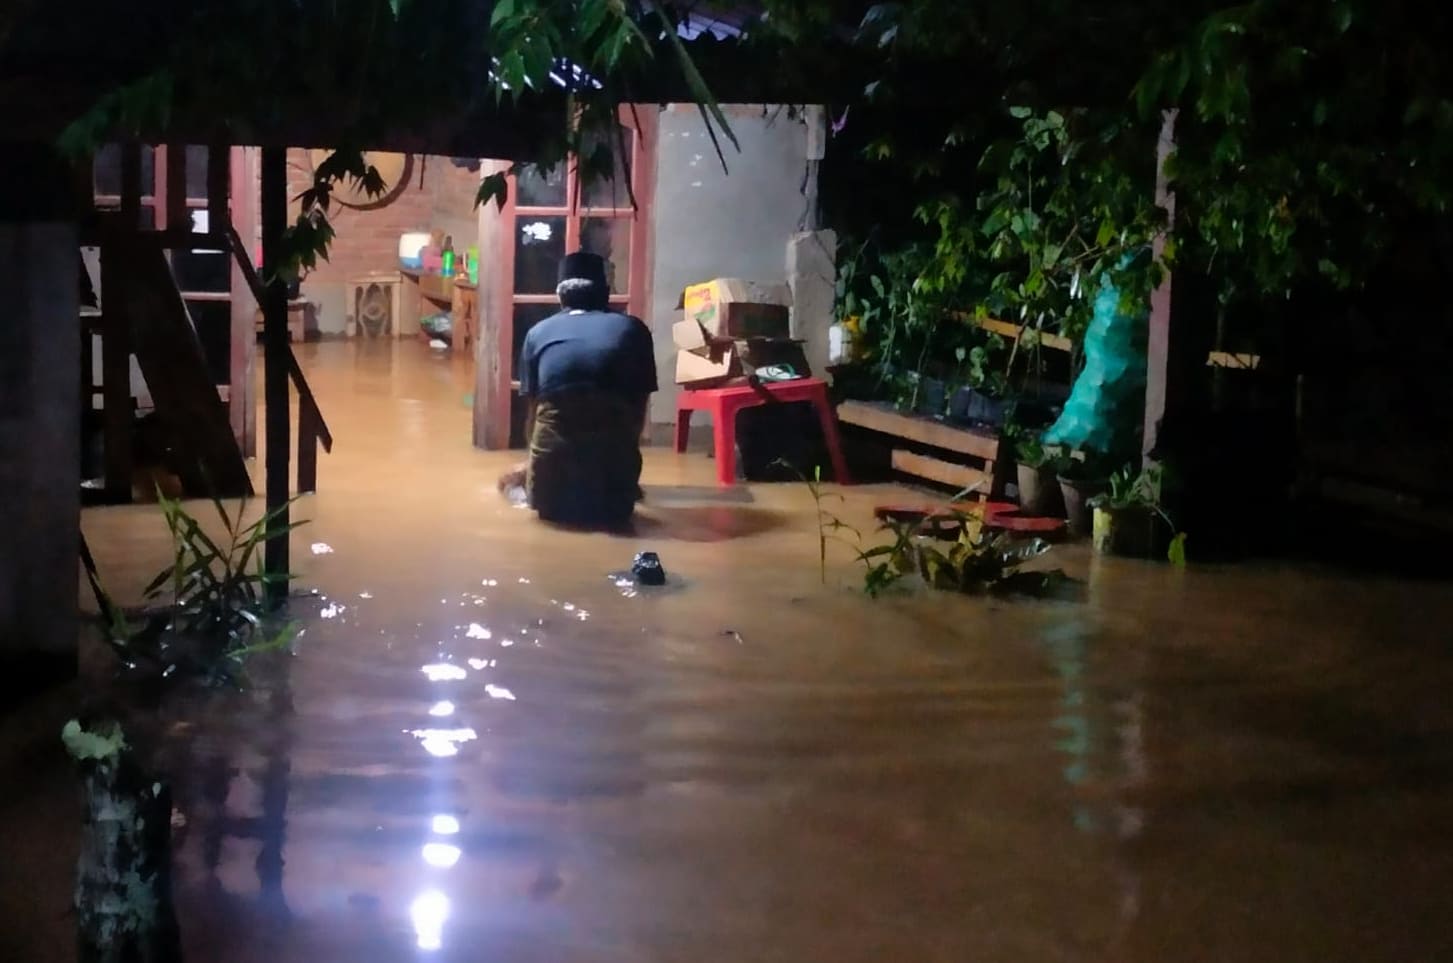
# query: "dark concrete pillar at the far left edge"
[40,422]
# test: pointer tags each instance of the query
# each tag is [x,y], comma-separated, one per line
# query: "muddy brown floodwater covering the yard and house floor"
[487,750]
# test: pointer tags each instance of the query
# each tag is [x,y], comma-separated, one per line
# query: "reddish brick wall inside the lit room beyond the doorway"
[438,197]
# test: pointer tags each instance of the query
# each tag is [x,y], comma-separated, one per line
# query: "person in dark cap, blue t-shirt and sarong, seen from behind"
[588,375]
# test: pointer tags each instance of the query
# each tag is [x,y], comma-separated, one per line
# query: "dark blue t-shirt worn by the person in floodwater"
[592,349]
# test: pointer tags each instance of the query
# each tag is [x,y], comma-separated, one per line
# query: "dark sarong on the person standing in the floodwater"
[585,458]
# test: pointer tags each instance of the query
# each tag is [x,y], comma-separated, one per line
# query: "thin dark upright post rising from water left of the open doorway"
[275,359]
